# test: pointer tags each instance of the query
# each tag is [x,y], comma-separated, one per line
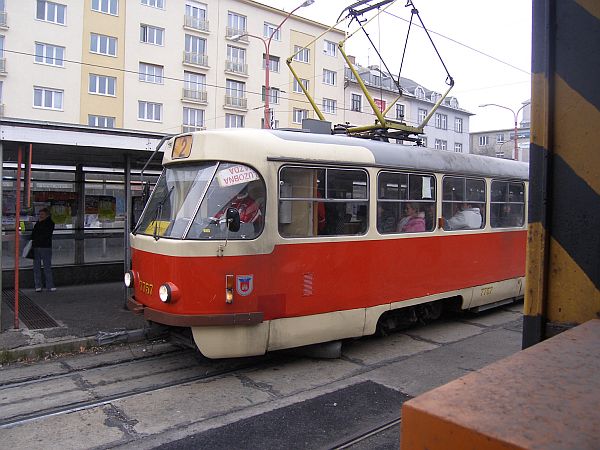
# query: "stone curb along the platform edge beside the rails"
[78,345]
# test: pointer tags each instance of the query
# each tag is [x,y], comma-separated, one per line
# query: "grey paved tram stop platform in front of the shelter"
[66,320]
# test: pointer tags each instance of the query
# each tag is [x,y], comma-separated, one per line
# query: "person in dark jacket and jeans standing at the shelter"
[42,250]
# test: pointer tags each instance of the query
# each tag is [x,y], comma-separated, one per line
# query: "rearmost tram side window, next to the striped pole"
[507,208]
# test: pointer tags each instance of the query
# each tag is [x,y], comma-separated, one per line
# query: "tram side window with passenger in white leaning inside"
[463,203]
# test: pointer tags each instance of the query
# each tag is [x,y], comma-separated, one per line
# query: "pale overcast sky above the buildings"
[486,47]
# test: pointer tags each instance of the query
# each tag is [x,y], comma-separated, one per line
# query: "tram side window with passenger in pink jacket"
[405,203]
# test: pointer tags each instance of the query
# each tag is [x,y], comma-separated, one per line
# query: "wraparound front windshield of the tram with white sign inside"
[190,202]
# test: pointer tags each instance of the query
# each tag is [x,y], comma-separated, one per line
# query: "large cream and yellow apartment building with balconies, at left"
[162,65]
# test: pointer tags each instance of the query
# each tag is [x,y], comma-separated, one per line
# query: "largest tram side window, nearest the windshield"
[322,202]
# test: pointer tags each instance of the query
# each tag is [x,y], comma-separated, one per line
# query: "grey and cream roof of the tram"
[364,152]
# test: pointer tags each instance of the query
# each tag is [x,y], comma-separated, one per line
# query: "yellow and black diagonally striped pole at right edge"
[563,253]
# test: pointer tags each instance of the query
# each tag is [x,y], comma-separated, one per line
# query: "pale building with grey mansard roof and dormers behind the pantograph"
[448,128]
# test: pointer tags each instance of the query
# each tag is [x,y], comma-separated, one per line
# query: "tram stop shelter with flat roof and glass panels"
[89,179]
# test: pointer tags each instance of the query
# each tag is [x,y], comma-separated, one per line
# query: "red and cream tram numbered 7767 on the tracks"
[263,240]
